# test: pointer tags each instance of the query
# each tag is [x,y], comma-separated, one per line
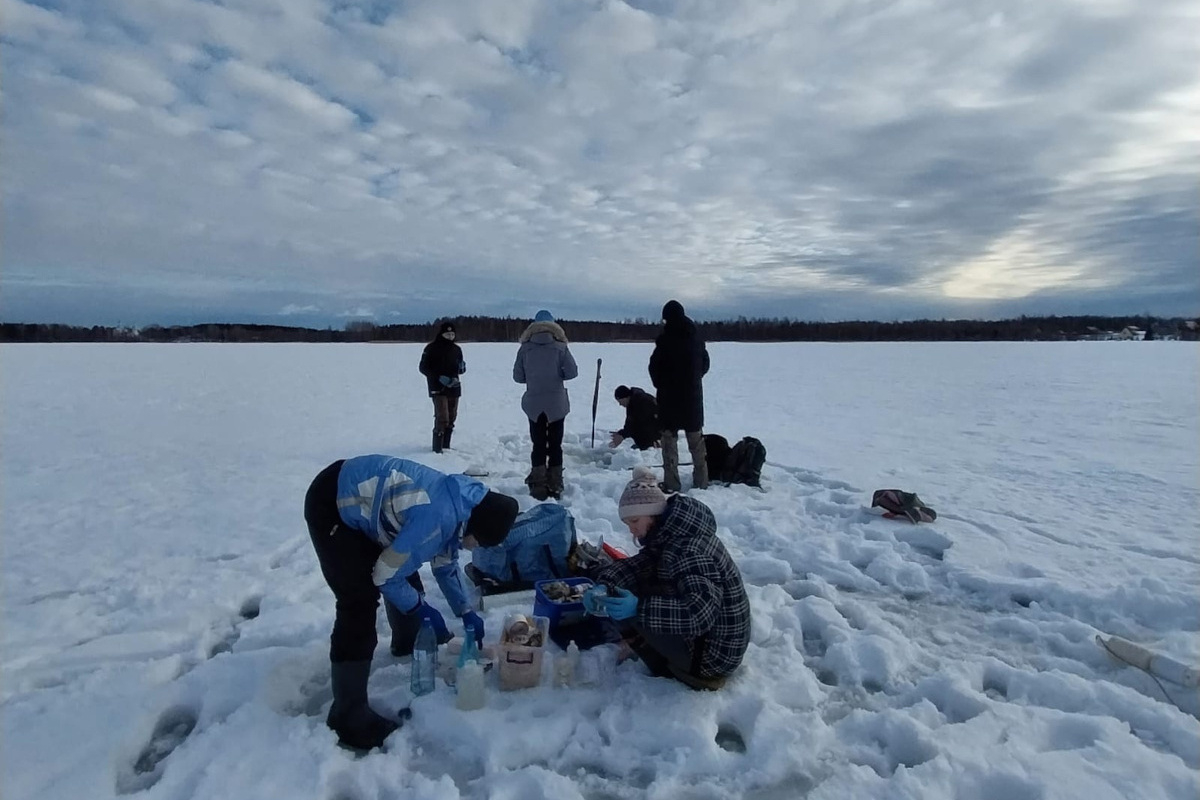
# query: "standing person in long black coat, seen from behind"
[679,366]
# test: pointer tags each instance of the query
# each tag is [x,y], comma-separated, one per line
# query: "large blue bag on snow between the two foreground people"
[538,548]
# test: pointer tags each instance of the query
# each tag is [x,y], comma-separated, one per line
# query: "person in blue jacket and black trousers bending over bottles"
[374,522]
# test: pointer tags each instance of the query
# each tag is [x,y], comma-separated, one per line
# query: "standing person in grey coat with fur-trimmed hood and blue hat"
[543,364]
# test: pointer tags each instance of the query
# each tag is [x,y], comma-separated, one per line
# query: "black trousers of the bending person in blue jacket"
[347,561]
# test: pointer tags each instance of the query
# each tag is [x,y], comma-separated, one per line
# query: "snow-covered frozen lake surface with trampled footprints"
[166,625]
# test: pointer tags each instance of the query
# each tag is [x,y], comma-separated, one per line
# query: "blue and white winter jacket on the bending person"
[417,515]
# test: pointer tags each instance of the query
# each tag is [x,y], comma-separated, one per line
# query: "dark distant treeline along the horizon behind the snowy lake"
[494,329]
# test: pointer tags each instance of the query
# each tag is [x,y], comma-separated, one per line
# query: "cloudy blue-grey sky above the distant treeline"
[309,163]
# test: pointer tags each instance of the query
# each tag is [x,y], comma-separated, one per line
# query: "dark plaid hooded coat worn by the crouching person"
[688,586]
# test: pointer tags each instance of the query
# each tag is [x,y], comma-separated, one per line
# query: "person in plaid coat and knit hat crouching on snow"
[680,601]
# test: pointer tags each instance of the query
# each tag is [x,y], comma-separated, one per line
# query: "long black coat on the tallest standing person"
[677,368]
